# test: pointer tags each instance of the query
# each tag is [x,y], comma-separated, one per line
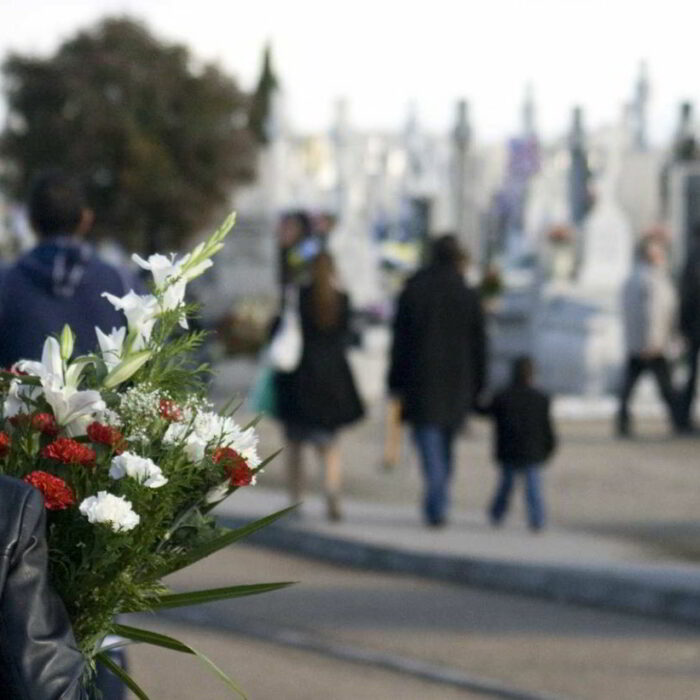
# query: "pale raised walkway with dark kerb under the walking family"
[558,564]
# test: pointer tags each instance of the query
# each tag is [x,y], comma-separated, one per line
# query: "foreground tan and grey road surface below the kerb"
[541,647]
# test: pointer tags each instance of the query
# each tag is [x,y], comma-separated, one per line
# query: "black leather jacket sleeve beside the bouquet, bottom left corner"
[39,659]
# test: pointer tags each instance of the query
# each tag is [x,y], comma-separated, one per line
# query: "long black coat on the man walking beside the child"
[438,356]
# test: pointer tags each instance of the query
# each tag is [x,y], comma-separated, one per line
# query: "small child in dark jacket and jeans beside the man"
[524,440]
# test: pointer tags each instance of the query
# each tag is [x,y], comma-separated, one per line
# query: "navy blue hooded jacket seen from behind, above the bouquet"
[58,282]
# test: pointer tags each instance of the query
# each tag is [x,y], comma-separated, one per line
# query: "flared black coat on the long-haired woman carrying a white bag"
[321,392]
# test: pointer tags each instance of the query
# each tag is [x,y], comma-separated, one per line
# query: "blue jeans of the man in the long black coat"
[434,445]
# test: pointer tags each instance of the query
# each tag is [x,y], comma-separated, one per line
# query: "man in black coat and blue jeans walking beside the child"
[438,365]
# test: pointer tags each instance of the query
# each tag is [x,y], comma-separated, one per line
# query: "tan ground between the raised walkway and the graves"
[647,489]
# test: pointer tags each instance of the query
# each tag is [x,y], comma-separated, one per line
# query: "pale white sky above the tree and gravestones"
[383,55]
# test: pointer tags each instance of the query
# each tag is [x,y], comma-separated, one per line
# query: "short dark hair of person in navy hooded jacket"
[56,203]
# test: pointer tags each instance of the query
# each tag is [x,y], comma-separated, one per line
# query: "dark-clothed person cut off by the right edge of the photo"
[689,292]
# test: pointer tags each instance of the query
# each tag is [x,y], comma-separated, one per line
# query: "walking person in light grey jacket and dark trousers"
[649,311]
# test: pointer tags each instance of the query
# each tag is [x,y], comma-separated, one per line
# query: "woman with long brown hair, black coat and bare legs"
[319,396]
